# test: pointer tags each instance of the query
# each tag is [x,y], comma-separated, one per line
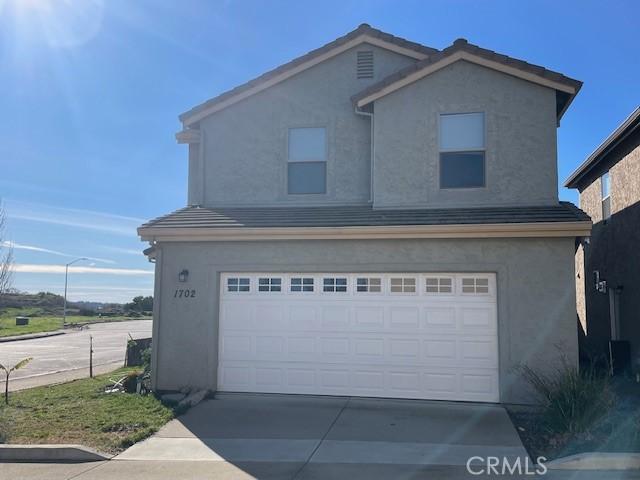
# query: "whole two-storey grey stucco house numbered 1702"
[374,218]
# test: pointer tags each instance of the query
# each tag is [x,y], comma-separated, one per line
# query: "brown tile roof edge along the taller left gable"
[363,29]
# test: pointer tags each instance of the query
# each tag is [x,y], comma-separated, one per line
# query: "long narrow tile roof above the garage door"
[353,216]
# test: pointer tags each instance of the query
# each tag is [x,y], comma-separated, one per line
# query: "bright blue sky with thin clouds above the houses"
[90,91]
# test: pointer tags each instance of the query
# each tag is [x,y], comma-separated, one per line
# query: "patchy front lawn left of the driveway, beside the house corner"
[80,412]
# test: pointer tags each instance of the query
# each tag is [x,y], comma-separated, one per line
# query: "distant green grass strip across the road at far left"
[40,322]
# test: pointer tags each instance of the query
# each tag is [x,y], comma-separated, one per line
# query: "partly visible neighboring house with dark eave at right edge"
[608,265]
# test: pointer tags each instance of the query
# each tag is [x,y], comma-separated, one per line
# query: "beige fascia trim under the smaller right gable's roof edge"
[469,57]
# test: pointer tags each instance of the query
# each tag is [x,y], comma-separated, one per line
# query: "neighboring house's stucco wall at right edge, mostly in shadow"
[613,249]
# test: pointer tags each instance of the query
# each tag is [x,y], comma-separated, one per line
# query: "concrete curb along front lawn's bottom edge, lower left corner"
[50,453]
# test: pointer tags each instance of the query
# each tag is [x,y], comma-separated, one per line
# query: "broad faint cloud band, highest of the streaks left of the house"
[73,217]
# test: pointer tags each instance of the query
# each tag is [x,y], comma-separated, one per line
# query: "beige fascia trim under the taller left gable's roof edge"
[197,116]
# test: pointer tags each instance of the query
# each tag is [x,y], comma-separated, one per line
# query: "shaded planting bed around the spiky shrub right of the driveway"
[617,430]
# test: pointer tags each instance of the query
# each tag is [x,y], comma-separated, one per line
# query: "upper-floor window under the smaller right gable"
[462,150]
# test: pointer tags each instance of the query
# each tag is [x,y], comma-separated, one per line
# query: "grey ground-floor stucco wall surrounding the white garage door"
[536,295]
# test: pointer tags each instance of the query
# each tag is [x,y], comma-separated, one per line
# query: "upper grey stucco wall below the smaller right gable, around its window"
[520,123]
